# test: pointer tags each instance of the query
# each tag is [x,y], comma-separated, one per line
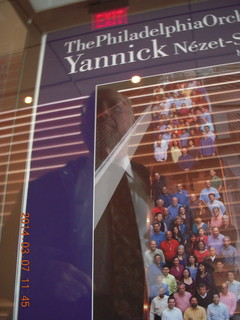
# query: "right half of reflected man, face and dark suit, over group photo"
[120,232]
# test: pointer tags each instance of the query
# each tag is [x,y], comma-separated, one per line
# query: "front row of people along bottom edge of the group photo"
[204,305]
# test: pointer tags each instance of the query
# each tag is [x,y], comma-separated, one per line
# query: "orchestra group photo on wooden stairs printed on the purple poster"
[174,162]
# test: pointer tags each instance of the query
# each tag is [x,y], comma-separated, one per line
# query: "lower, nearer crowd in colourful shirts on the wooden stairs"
[192,250]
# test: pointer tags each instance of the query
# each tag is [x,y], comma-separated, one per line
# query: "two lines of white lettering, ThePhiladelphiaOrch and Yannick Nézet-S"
[153,48]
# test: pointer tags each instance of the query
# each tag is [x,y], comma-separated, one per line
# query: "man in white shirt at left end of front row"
[158,305]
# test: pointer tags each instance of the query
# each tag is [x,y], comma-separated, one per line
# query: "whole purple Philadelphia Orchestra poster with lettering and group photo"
[104,149]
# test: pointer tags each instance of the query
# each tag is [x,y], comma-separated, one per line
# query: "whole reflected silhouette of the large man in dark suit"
[61,206]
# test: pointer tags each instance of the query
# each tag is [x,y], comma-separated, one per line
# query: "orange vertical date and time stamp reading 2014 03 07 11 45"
[25,262]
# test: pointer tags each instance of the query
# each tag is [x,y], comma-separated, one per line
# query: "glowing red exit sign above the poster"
[109,18]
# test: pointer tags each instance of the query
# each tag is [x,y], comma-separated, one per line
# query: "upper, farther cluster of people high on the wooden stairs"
[182,126]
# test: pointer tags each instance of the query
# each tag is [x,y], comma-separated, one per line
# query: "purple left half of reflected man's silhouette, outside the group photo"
[60,204]
